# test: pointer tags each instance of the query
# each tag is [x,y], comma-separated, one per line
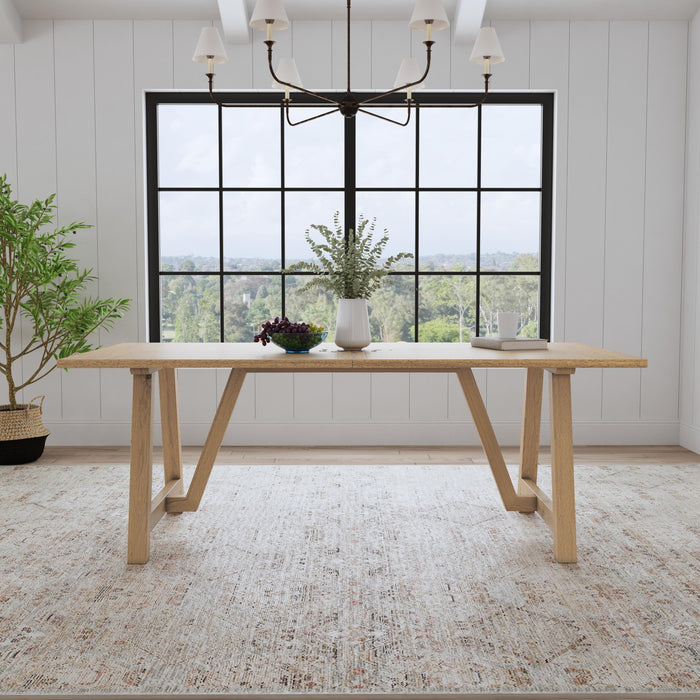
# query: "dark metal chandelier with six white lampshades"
[270,15]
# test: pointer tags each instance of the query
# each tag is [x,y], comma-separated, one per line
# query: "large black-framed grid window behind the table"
[231,191]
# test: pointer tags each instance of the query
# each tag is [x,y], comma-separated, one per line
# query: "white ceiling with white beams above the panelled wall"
[466,15]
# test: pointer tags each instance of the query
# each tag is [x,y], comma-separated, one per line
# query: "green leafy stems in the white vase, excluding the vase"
[349,268]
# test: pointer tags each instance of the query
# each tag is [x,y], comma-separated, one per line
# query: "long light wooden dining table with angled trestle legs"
[146,360]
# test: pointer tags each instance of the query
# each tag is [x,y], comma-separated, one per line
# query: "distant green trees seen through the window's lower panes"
[191,309]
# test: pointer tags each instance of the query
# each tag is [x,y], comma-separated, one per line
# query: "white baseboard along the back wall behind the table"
[452,433]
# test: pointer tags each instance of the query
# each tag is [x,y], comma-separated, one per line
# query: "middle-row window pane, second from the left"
[252,231]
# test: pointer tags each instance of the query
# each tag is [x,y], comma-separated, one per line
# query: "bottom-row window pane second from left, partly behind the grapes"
[248,301]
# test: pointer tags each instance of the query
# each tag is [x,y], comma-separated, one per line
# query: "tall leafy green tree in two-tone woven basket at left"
[43,290]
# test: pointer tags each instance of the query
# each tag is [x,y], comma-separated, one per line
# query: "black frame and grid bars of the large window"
[155,273]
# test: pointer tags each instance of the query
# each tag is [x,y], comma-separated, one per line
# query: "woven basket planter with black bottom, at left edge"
[22,433]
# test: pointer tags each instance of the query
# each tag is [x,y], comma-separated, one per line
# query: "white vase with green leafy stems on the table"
[350,267]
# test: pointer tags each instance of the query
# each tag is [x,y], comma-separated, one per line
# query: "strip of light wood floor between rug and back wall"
[637,454]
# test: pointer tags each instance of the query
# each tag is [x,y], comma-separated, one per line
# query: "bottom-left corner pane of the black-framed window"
[189,309]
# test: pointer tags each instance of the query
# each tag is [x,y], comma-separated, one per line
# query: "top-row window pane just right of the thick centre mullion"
[385,152]
